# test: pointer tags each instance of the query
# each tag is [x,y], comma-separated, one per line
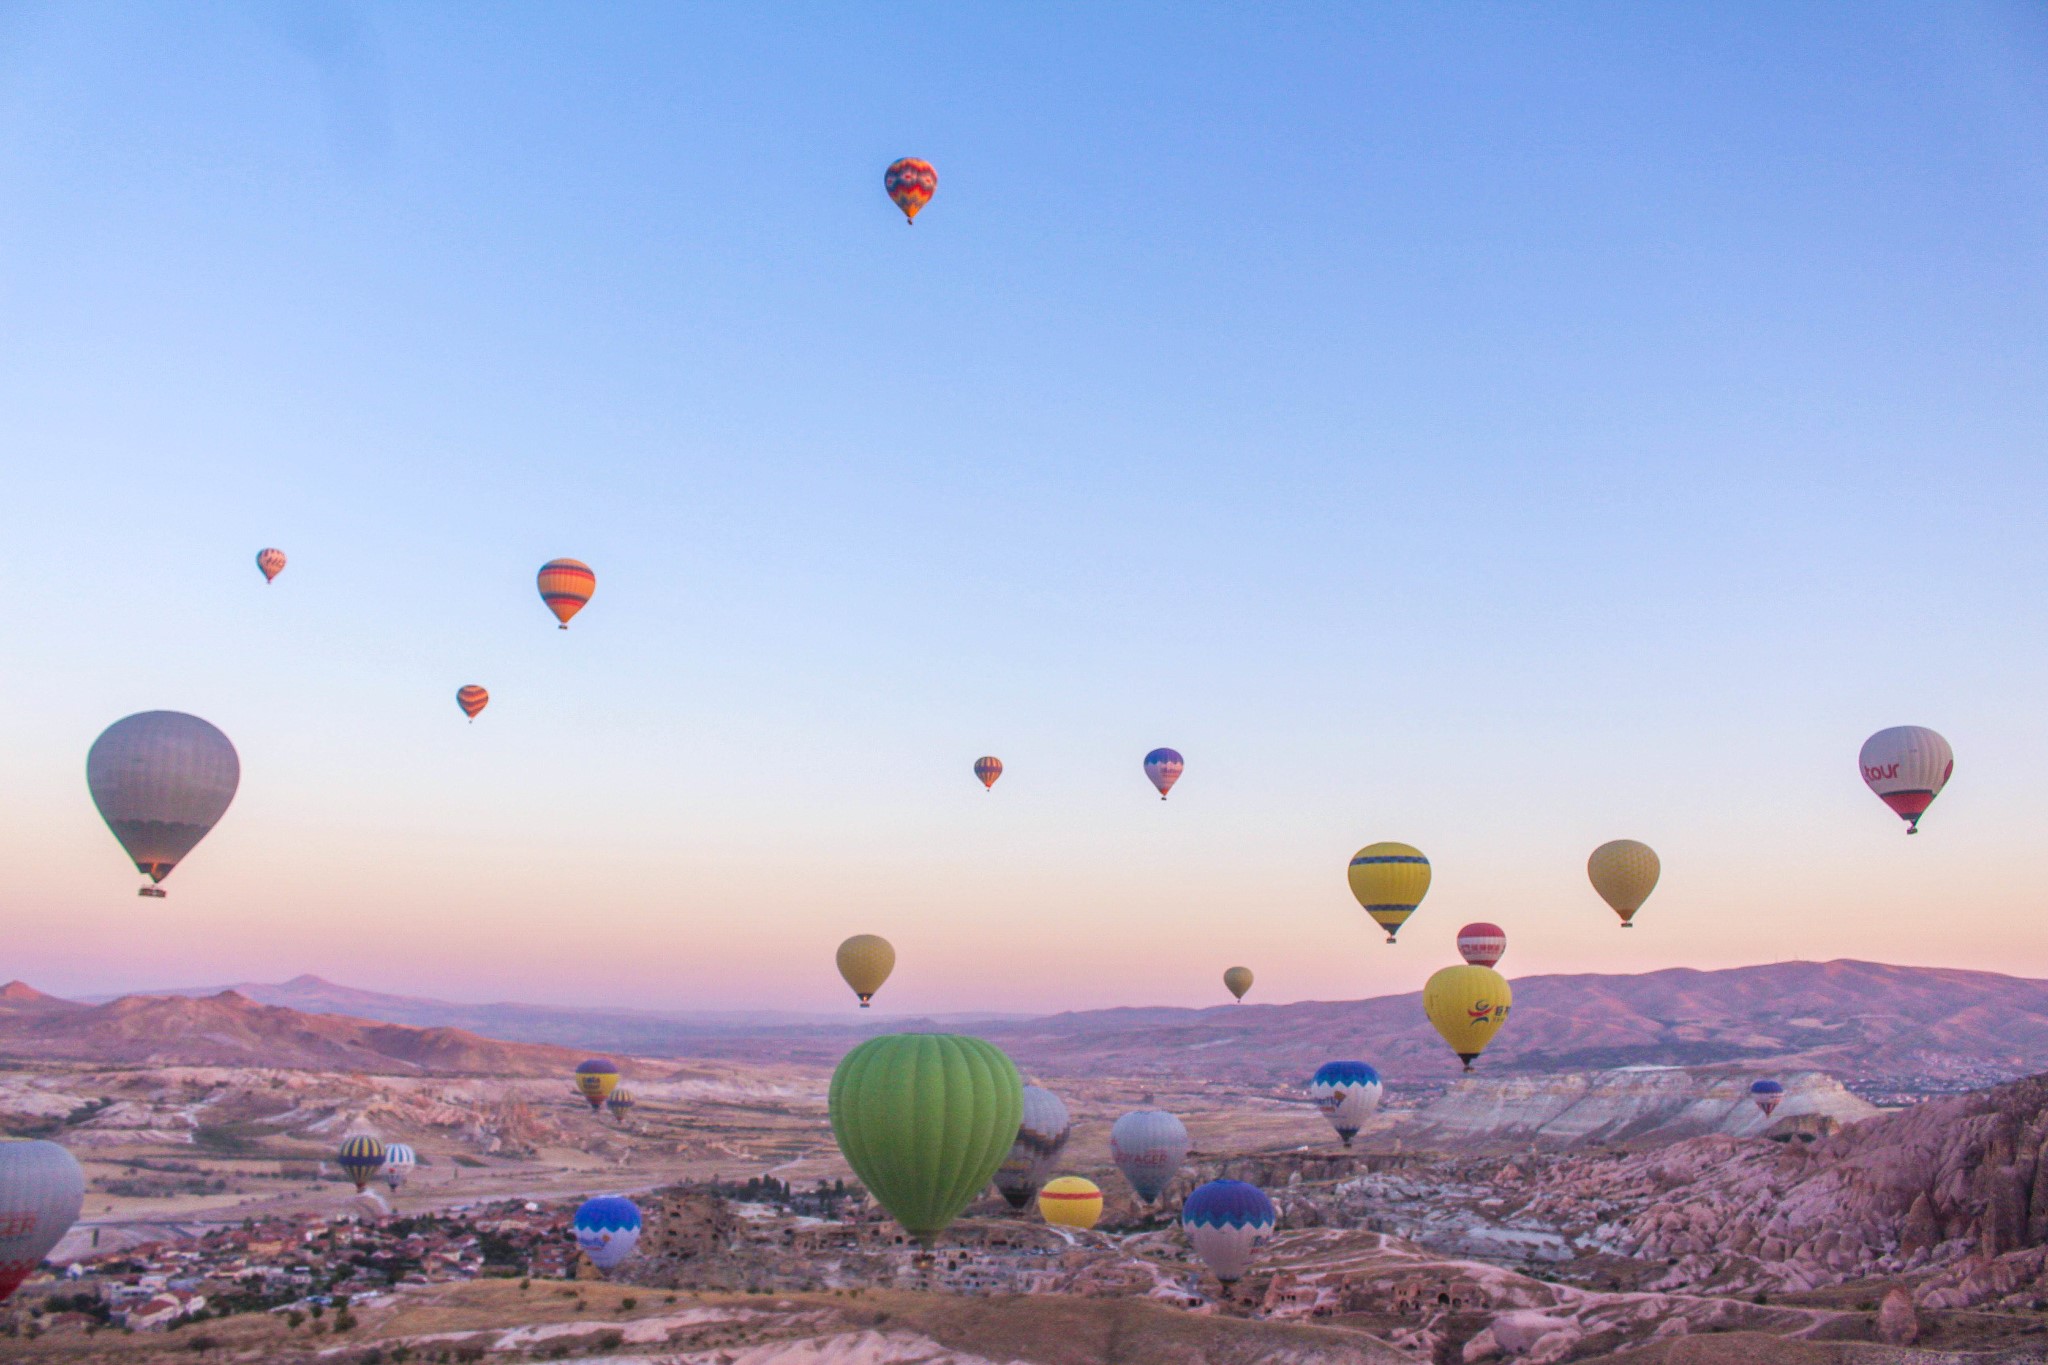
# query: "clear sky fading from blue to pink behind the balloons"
[1500,429]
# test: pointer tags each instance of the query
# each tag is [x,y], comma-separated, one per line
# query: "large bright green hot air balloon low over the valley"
[925,1120]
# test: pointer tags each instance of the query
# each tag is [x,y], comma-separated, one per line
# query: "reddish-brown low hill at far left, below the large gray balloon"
[230,1030]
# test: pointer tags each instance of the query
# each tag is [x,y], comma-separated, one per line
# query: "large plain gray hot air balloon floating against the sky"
[161,781]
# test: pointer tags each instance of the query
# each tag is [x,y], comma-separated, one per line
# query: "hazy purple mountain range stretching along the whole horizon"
[1881,1026]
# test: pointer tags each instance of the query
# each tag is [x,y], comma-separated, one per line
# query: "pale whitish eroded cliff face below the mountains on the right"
[1635,1104]
